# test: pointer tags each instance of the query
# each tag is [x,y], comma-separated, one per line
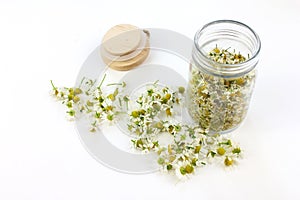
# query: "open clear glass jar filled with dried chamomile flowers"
[222,74]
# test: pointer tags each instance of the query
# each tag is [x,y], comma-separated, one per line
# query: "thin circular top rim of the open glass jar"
[225,21]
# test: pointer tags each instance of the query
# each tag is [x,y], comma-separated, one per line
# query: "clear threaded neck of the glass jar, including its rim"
[227,34]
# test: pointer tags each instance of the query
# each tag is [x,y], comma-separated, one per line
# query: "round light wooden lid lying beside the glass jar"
[125,46]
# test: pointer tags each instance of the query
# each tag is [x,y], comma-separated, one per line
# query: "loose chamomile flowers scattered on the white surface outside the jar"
[153,114]
